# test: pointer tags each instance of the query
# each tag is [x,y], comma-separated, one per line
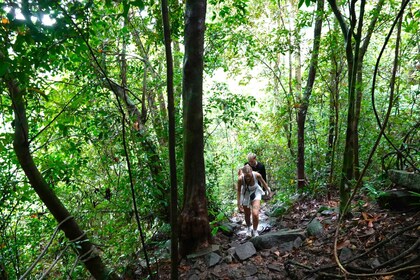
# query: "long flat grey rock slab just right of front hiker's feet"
[273,239]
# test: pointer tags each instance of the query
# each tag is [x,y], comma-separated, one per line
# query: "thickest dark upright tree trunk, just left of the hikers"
[194,222]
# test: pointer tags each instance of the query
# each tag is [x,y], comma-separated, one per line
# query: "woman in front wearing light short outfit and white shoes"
[249,194]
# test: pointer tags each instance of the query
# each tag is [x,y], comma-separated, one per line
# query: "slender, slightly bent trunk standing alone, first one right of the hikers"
[303,109]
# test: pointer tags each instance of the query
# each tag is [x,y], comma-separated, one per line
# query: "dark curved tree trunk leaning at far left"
[87,252]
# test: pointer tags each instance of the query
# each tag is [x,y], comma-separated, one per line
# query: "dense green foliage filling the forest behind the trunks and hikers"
[66,56]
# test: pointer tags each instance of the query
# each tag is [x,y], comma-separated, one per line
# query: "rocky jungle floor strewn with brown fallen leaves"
[374,243]
